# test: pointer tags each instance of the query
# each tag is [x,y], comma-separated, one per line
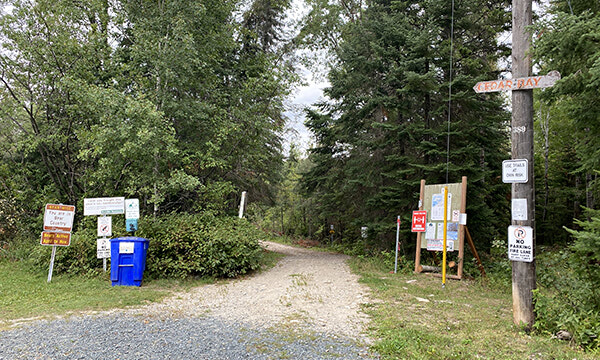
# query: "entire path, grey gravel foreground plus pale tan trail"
[306,307]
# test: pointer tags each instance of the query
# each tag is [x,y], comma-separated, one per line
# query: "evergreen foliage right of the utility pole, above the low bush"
[568,41]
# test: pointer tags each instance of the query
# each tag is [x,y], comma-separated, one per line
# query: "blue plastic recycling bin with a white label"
[128,260]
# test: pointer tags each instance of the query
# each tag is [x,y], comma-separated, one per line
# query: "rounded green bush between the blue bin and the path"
[184,245]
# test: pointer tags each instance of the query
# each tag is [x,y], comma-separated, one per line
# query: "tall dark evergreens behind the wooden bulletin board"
[387,123]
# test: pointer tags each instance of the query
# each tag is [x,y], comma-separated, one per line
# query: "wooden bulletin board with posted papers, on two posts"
[432,201]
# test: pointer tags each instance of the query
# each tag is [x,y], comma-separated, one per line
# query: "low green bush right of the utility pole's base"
[569,297]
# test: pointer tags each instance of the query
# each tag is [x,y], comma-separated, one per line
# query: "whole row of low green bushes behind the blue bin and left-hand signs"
[181,245]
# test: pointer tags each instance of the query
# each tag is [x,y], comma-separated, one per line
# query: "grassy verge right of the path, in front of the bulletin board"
[414,318]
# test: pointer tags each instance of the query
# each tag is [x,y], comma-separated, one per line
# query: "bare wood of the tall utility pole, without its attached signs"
[523,273]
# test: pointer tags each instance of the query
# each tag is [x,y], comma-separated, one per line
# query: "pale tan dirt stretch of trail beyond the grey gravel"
[310,289]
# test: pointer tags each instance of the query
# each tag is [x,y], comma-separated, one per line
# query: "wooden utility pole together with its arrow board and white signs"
[523,187]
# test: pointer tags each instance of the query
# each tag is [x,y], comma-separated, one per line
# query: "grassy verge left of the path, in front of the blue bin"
[25,293]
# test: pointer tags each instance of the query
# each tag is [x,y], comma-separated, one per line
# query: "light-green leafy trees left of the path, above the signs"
[161,100]
